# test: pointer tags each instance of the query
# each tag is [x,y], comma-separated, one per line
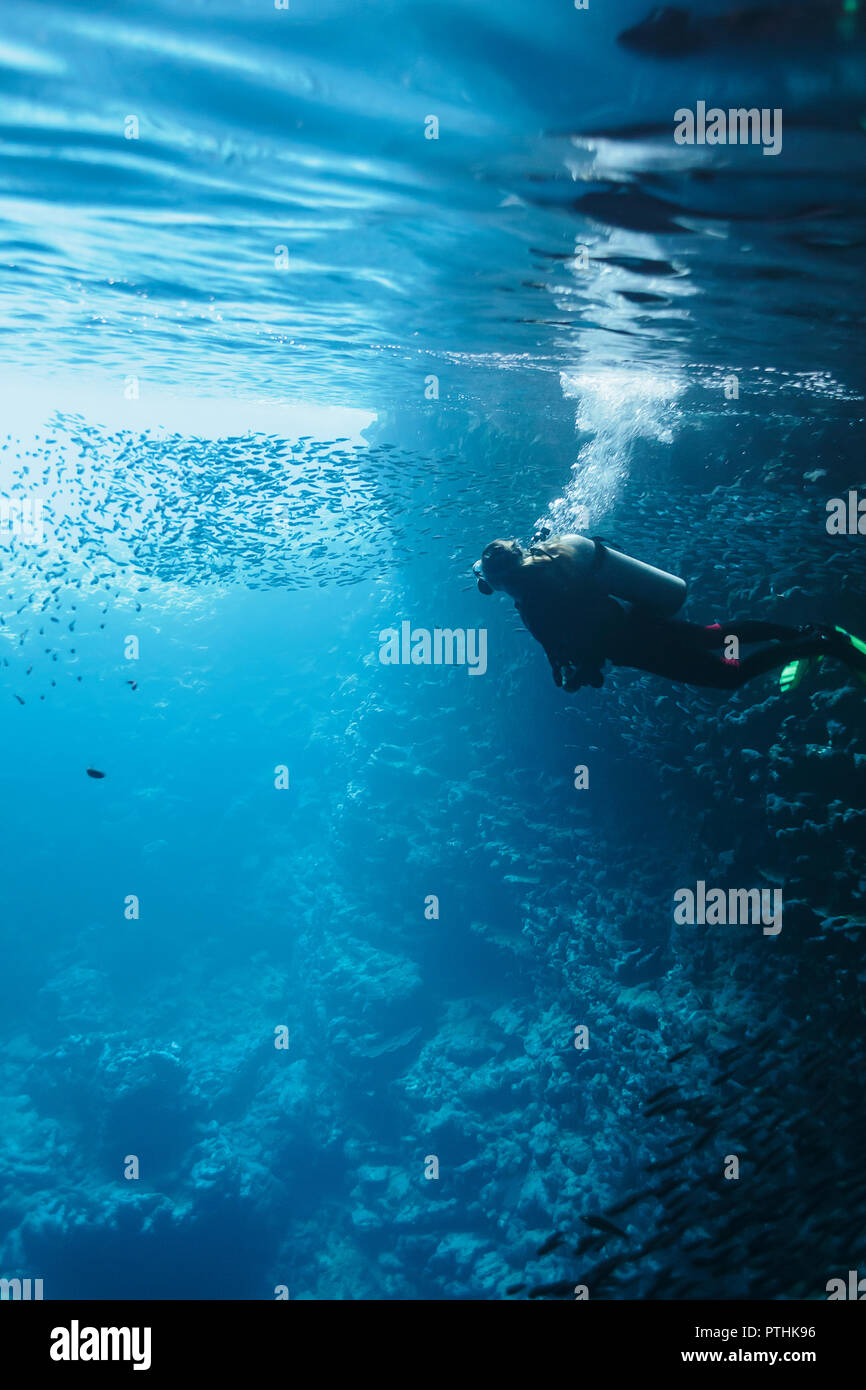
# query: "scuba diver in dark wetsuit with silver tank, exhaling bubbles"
[569,591]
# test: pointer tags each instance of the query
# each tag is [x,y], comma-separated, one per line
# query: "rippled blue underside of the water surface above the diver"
[261,129]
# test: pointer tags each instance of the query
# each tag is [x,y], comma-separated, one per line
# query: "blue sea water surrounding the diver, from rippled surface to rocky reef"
[276,369]
